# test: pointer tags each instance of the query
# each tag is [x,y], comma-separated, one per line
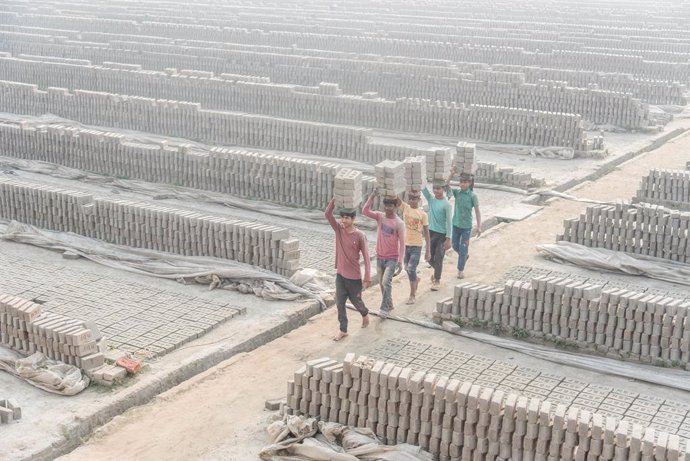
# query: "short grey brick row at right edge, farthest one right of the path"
[666,187]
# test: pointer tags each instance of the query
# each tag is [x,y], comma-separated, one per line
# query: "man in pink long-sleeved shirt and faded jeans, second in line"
[390,247]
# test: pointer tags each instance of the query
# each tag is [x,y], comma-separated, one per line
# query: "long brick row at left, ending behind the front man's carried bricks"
[276,178]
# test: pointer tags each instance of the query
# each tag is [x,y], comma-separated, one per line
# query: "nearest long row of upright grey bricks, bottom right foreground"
[457,420]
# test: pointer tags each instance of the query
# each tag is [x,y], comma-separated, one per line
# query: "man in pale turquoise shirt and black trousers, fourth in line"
[440,228]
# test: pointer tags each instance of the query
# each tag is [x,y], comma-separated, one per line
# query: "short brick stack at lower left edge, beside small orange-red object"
[25,328]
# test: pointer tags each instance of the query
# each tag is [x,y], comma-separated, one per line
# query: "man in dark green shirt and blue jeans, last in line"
[465,201]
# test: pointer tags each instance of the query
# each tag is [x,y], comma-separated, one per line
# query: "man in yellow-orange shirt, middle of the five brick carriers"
[416,232]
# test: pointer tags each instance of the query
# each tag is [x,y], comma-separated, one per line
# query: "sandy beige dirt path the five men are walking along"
[219,414]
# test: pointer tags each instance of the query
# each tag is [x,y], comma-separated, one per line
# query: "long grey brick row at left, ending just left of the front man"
[144,225]
